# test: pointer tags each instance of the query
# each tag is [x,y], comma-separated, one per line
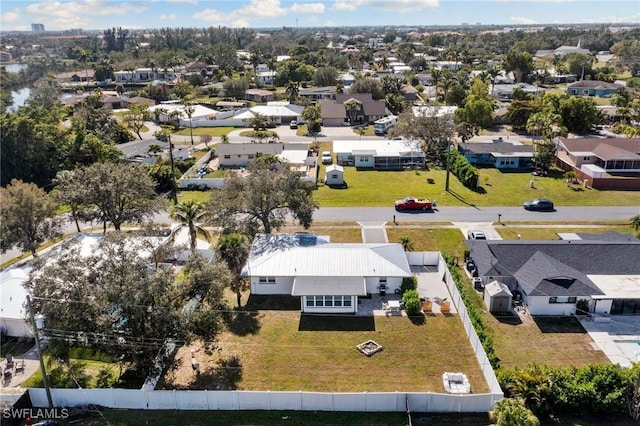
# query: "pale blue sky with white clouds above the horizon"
[140,14]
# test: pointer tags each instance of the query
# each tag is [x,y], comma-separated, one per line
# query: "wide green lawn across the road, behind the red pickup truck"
[381,188]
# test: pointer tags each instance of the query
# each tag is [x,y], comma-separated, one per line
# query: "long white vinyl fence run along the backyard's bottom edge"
[137,399]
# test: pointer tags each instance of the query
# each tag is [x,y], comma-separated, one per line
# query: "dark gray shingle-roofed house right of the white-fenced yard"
[554,275]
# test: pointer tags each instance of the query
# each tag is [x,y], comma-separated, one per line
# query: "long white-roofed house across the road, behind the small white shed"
[379,154]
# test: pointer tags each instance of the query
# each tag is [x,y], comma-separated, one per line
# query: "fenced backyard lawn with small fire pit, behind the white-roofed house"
[281,350]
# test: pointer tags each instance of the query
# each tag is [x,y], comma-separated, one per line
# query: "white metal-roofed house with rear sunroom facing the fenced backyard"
[327,277]
